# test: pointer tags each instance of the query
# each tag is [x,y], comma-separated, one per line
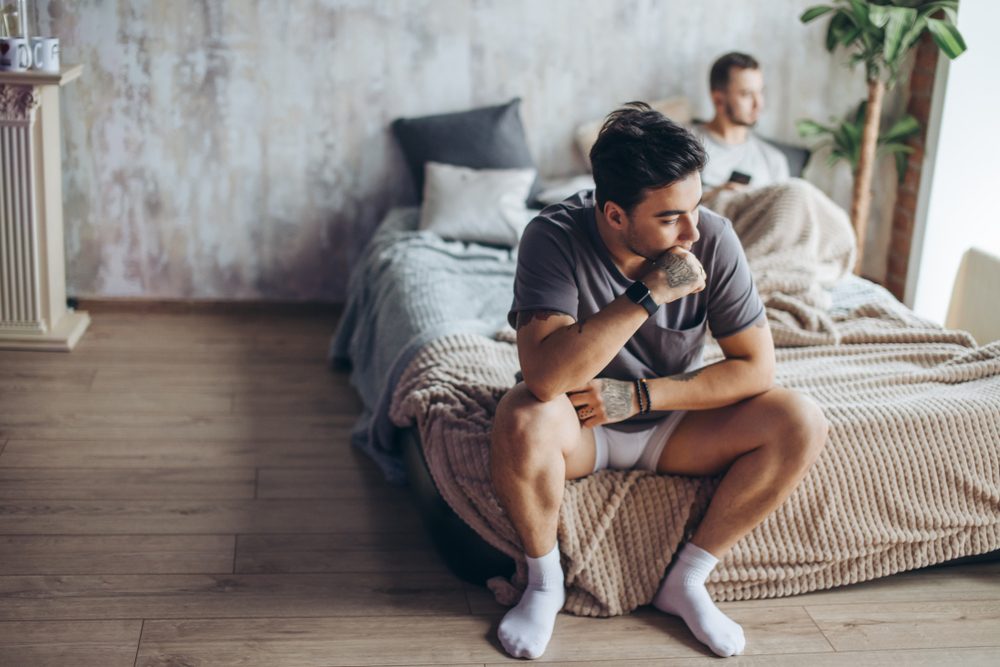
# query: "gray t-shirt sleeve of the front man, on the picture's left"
[545,273]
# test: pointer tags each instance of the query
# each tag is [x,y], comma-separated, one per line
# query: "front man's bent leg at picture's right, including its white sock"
[768,442]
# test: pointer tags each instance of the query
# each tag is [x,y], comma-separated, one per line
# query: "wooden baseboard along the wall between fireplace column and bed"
[204,306]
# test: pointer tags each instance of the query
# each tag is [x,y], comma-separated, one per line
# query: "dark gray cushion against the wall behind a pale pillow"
[483,138]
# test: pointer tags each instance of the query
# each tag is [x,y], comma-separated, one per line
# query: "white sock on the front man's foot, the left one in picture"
[526,629]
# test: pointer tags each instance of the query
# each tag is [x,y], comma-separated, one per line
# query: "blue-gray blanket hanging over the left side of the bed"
[410,288]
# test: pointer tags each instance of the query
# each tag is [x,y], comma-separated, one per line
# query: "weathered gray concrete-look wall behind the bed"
[238,149]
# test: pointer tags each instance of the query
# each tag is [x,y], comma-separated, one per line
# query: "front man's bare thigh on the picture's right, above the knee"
[707,441]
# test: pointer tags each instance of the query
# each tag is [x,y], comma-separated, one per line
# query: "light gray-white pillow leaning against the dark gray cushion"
[476,205]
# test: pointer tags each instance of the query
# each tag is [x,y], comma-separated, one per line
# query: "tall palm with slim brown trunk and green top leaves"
[881,34]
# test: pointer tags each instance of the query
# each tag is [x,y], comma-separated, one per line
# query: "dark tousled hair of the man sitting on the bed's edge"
[640,149]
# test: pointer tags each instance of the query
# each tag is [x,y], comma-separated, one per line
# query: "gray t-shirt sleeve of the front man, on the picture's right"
[733,302]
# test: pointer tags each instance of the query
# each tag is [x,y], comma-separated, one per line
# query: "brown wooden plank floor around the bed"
[180,490]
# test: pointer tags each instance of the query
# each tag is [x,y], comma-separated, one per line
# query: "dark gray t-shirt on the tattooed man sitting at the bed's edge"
[563,265]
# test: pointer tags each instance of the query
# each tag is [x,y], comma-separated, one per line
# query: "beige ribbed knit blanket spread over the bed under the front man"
[910,476]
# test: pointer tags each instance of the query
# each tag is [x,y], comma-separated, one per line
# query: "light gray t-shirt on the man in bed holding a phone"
[766,164]
